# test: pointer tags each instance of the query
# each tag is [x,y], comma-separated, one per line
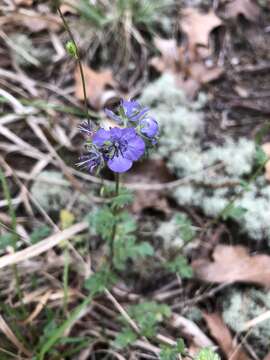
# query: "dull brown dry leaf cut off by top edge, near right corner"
[247,8]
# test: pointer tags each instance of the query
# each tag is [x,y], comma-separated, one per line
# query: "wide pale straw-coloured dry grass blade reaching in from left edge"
[42,246]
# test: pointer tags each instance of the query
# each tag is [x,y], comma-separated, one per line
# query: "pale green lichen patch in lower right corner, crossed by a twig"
[241,306]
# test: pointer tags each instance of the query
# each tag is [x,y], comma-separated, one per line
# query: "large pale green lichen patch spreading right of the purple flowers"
[208,169]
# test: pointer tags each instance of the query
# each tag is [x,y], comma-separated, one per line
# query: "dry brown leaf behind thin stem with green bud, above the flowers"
[96,83]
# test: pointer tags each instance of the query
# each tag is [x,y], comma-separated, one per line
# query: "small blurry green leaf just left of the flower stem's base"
[100,280]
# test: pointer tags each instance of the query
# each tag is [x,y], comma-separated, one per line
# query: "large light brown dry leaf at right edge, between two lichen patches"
[234,264]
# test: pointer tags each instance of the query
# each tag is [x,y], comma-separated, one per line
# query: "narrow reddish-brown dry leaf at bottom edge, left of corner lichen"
[222,335]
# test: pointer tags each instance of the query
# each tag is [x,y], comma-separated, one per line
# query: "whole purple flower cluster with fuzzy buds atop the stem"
[119,146]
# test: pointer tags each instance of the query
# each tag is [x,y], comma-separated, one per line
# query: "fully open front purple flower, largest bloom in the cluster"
[120,147]
